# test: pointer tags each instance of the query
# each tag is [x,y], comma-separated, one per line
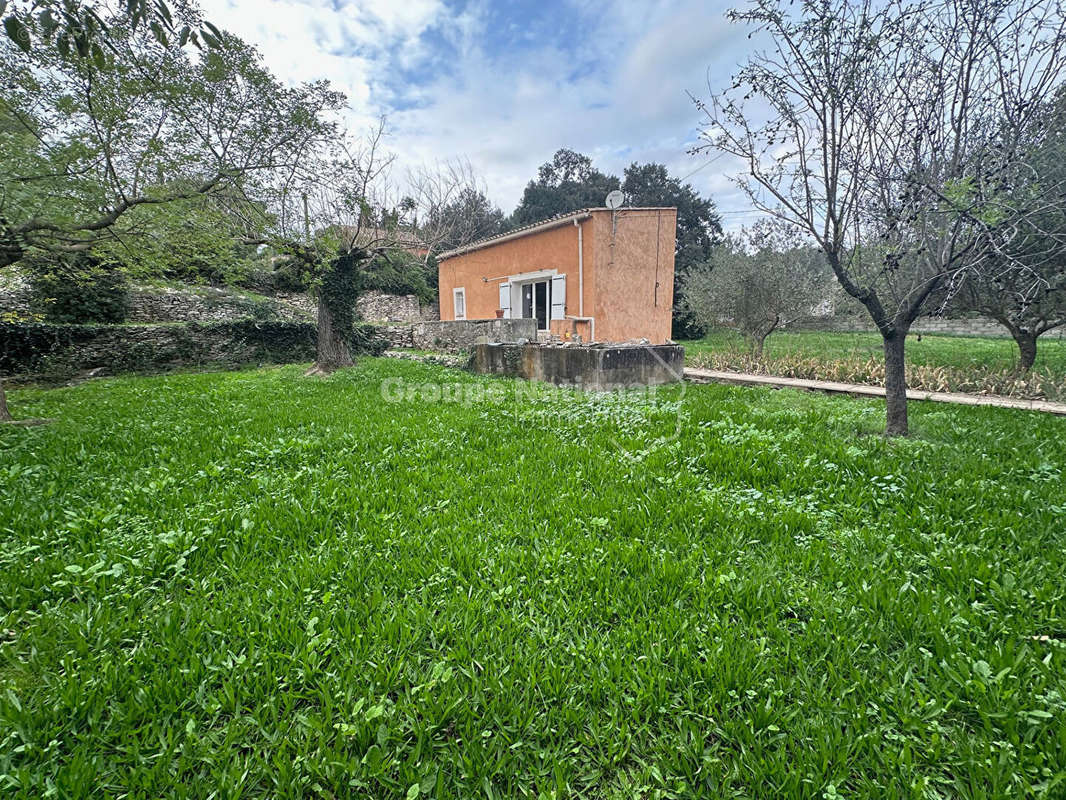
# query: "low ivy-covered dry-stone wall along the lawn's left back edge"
[51,351]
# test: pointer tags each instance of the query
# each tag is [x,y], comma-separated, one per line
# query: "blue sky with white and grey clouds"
[506,85]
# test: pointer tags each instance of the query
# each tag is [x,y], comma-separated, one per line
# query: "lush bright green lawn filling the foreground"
[254,585]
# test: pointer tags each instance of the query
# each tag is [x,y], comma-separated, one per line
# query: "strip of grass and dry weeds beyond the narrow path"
[980,365]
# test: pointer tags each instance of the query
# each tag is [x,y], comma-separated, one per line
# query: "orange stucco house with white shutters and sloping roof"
[597,275]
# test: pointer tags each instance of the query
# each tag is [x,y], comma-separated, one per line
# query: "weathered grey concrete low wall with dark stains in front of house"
[594,367]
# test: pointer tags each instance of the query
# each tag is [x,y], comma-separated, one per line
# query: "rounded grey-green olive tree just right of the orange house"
[758,282]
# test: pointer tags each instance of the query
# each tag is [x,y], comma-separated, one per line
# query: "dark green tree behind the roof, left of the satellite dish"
[567,184]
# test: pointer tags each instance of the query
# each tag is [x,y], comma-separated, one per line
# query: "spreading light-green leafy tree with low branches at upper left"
[86,141]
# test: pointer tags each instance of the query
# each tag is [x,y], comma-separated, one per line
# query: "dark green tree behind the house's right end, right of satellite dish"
[699,228]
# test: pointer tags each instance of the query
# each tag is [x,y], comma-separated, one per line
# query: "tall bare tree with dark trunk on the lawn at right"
[887,133]
